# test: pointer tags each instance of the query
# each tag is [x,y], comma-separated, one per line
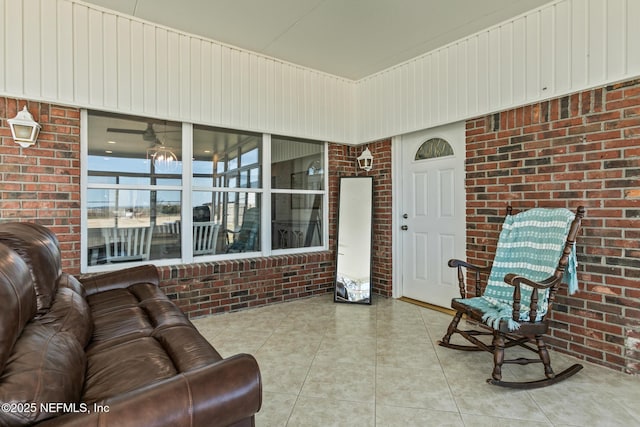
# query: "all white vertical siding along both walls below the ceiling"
[66,52]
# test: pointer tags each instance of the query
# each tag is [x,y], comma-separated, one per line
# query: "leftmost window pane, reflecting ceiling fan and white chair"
[134,188]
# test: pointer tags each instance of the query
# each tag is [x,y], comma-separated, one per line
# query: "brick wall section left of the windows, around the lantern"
[42,183]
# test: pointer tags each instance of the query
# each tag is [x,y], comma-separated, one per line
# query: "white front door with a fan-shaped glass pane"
[433,212]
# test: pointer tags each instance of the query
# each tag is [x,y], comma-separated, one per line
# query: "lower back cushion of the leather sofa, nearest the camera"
[45,366]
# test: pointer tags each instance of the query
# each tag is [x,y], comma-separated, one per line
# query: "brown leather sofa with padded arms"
[110,350]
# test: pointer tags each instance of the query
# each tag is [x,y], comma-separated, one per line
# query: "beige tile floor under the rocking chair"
[327,364]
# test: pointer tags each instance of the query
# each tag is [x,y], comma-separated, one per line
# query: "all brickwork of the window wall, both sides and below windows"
[42,184]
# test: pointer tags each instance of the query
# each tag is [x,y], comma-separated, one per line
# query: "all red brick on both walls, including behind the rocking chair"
[579,149]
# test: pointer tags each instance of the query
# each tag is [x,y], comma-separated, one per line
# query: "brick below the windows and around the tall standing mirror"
[201,289]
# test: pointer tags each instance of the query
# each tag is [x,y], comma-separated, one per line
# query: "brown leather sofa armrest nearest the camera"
[220,394]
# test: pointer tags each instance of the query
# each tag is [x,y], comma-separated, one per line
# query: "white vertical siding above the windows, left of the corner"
[66,52]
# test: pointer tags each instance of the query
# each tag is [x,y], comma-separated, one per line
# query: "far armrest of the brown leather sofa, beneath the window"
[120,279]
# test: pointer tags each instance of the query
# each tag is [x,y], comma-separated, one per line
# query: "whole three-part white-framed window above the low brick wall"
[228,197]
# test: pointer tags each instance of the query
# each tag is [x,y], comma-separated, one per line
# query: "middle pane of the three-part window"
[227,191]
